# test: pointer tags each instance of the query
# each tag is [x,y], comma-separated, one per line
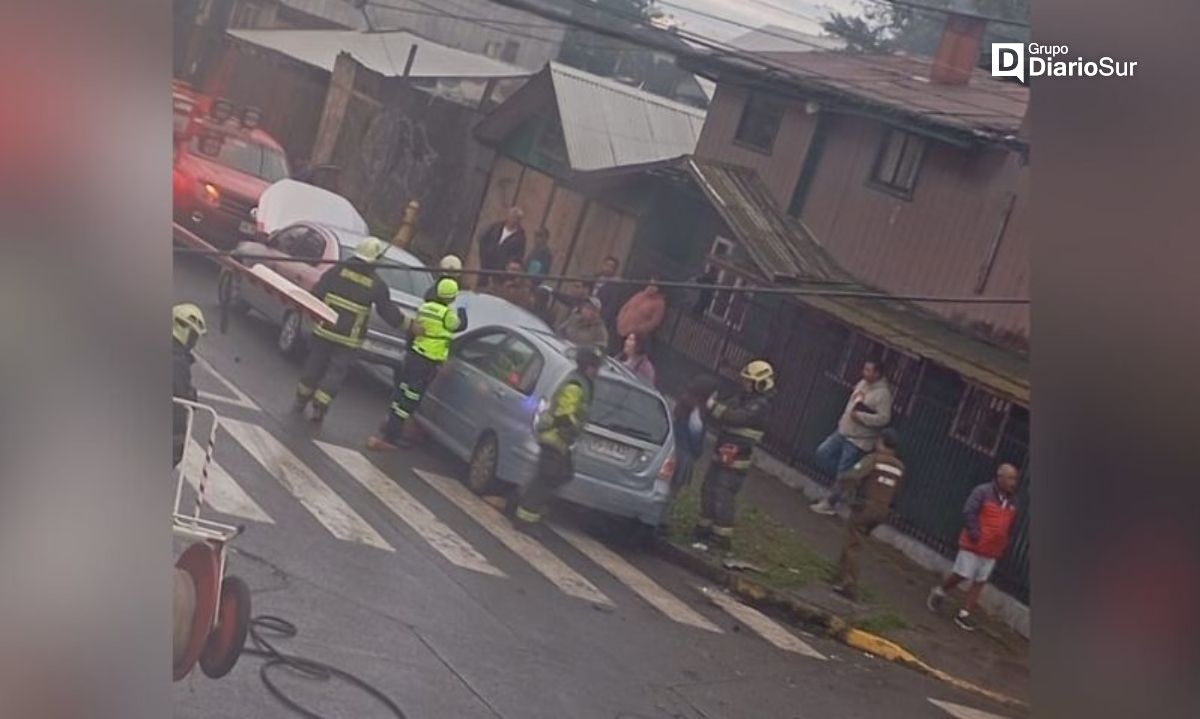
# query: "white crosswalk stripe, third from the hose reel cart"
[415,514]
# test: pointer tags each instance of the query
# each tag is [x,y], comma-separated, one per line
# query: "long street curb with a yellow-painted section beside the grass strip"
[815,619]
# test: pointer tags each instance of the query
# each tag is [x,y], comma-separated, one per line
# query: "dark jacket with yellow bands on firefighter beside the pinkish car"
[351,290]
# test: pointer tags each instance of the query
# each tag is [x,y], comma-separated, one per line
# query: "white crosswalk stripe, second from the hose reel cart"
[323,504]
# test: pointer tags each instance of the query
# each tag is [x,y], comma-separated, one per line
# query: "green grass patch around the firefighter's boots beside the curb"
[785,560]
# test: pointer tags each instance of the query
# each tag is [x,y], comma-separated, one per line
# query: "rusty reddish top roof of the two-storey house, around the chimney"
[901,83]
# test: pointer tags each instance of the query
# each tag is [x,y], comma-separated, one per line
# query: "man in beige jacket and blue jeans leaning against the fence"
[868,411]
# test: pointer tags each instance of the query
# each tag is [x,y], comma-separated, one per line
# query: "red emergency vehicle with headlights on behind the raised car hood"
[220,171]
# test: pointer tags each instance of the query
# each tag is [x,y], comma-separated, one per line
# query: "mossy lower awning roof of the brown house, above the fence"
[779,244]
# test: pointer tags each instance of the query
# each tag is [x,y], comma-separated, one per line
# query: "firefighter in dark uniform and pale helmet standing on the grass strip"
[741,424]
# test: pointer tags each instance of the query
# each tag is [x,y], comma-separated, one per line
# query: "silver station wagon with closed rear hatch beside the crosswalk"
[483,403]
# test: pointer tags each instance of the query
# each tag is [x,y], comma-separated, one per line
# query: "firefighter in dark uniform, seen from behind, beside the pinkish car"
[351,290]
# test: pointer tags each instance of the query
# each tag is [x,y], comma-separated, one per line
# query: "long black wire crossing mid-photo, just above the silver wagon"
[788,286]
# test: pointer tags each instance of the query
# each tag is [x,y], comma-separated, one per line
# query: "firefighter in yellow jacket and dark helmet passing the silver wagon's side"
[559,427]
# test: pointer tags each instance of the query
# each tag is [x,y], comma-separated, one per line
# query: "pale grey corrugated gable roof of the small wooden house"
[607,124]
